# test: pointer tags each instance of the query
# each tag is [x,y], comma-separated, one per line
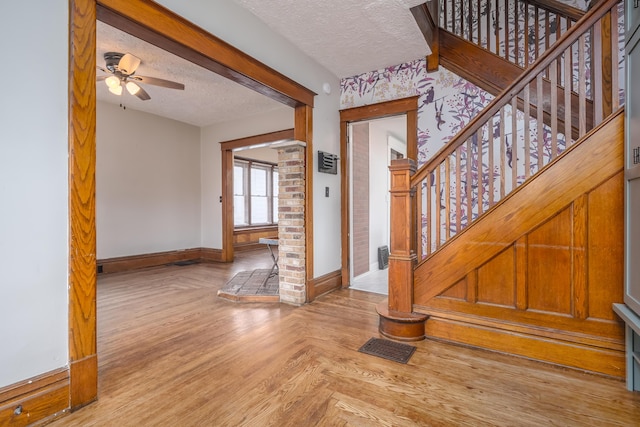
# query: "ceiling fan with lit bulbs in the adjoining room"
[121,68]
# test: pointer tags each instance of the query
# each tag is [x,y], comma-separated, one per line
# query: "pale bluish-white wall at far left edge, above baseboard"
[33,189]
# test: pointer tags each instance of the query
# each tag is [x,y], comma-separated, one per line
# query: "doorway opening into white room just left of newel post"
[373,144]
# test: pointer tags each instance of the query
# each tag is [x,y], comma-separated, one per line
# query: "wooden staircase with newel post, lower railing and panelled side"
[511,237]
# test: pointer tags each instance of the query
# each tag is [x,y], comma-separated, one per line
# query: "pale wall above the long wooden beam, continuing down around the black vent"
[241,29]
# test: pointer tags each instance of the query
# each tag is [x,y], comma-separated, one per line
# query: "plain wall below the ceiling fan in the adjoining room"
[147,183]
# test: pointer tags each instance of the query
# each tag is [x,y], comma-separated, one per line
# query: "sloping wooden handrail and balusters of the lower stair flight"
[529,125]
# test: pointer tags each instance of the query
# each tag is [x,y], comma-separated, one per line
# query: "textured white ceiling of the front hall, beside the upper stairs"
[347,37]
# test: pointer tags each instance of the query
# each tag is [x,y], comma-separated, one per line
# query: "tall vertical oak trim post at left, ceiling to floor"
[82,190]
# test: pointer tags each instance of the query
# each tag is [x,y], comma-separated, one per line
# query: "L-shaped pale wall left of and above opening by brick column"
[211,164]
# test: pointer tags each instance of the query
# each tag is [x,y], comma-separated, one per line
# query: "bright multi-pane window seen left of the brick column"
[255,193]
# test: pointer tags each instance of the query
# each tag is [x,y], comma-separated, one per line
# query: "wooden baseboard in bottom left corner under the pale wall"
[36,399]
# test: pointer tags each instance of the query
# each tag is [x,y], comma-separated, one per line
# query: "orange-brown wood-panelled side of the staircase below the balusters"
[537,276]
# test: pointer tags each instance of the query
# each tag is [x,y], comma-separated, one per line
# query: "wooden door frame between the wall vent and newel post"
[408,106]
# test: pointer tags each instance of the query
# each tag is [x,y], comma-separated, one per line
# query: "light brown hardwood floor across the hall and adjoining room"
[173,354]
